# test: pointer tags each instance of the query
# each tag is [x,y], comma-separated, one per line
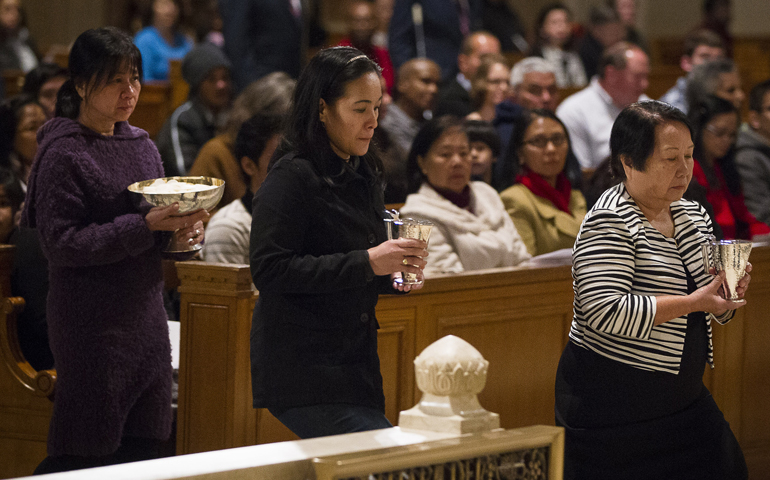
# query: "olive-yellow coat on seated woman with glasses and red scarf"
[543,227]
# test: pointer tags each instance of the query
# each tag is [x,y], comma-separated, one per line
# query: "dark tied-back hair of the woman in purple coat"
[96,55]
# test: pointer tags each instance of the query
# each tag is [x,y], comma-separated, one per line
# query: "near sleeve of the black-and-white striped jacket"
[604,267]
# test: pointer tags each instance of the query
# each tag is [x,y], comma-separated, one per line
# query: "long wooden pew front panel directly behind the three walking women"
[518,318]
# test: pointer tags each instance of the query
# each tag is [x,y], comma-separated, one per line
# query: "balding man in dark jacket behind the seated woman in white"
[454,97]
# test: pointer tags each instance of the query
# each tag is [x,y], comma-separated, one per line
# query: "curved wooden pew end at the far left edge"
[25,406]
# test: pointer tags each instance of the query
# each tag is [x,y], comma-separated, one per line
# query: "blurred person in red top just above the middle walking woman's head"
[361,27]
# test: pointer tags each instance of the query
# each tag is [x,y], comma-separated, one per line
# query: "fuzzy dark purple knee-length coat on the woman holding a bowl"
[107,325]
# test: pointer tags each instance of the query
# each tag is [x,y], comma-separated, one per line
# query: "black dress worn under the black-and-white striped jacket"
[626,423]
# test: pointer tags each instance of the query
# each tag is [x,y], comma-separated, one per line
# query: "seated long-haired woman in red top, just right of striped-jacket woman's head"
[715,122]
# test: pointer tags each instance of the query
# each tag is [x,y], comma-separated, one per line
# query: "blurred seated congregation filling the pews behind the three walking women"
[496,131]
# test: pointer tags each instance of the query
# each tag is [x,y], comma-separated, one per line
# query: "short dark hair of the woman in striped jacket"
[633,134]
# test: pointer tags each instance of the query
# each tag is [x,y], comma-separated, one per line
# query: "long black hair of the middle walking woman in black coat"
[325,77]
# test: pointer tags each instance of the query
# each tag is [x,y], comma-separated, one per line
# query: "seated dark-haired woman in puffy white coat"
[472,229]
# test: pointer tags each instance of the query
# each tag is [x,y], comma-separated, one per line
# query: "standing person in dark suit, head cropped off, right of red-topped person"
[432,28]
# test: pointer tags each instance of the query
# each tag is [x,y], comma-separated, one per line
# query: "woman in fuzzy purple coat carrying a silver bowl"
[107,325]
